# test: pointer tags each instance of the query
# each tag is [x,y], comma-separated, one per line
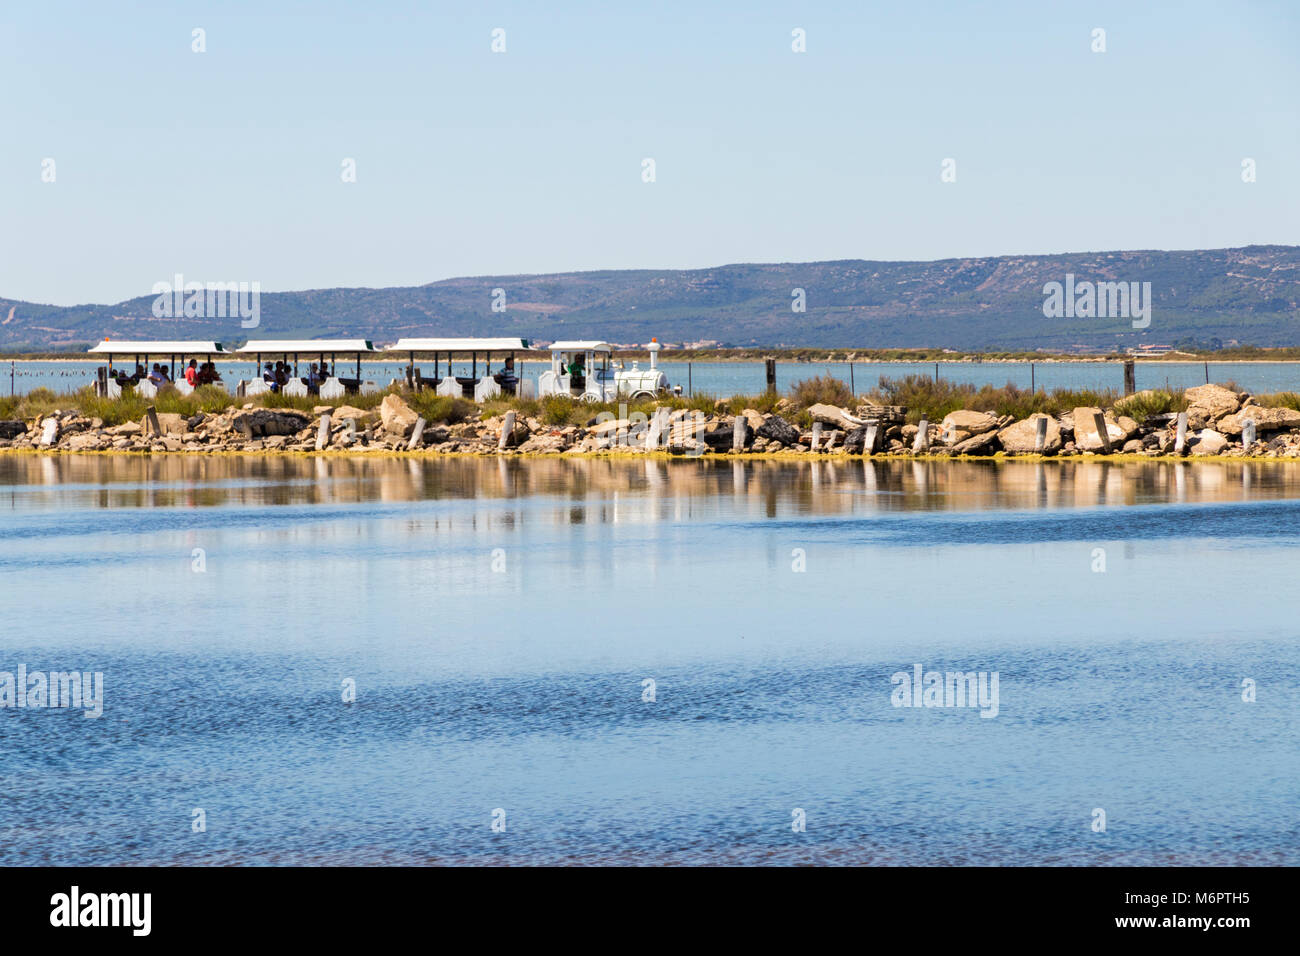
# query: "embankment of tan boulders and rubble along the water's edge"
[1217,418]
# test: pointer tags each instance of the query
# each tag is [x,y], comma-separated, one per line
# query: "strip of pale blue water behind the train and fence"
[726,379]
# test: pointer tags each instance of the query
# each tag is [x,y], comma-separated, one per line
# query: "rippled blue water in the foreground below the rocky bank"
[500,618]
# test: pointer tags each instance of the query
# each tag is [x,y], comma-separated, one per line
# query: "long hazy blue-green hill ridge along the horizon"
[1251,296]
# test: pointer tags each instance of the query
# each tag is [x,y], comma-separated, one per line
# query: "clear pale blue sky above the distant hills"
[226,166]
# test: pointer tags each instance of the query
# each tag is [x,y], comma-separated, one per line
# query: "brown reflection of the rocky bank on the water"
[816,487]
